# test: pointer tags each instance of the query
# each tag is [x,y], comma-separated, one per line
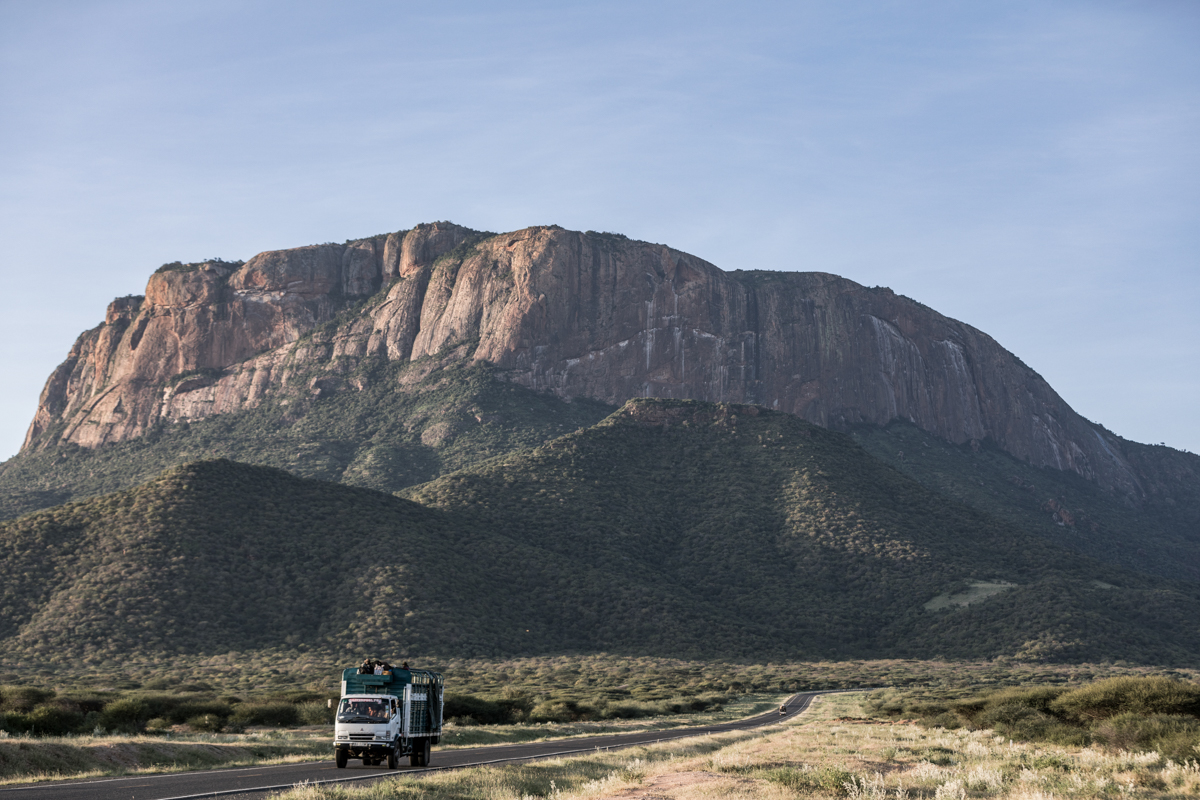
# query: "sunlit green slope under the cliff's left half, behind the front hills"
[409,424]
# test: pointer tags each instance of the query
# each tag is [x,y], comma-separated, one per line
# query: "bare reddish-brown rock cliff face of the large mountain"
[577,315]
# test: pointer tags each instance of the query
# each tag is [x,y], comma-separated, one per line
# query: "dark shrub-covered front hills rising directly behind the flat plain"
[671,528]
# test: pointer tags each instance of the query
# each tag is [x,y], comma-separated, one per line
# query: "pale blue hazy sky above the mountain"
[1030,169]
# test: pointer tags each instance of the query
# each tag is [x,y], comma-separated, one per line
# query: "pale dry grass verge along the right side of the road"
[831,753]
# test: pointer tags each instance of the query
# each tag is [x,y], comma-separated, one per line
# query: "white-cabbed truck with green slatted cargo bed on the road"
[388,714]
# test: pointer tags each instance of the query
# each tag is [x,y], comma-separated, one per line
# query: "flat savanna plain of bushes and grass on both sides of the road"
[941,731]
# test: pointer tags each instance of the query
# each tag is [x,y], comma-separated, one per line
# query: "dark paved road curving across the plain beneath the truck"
[255,783]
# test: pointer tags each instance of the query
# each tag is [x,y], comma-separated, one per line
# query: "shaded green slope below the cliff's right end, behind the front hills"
[1160,536]
